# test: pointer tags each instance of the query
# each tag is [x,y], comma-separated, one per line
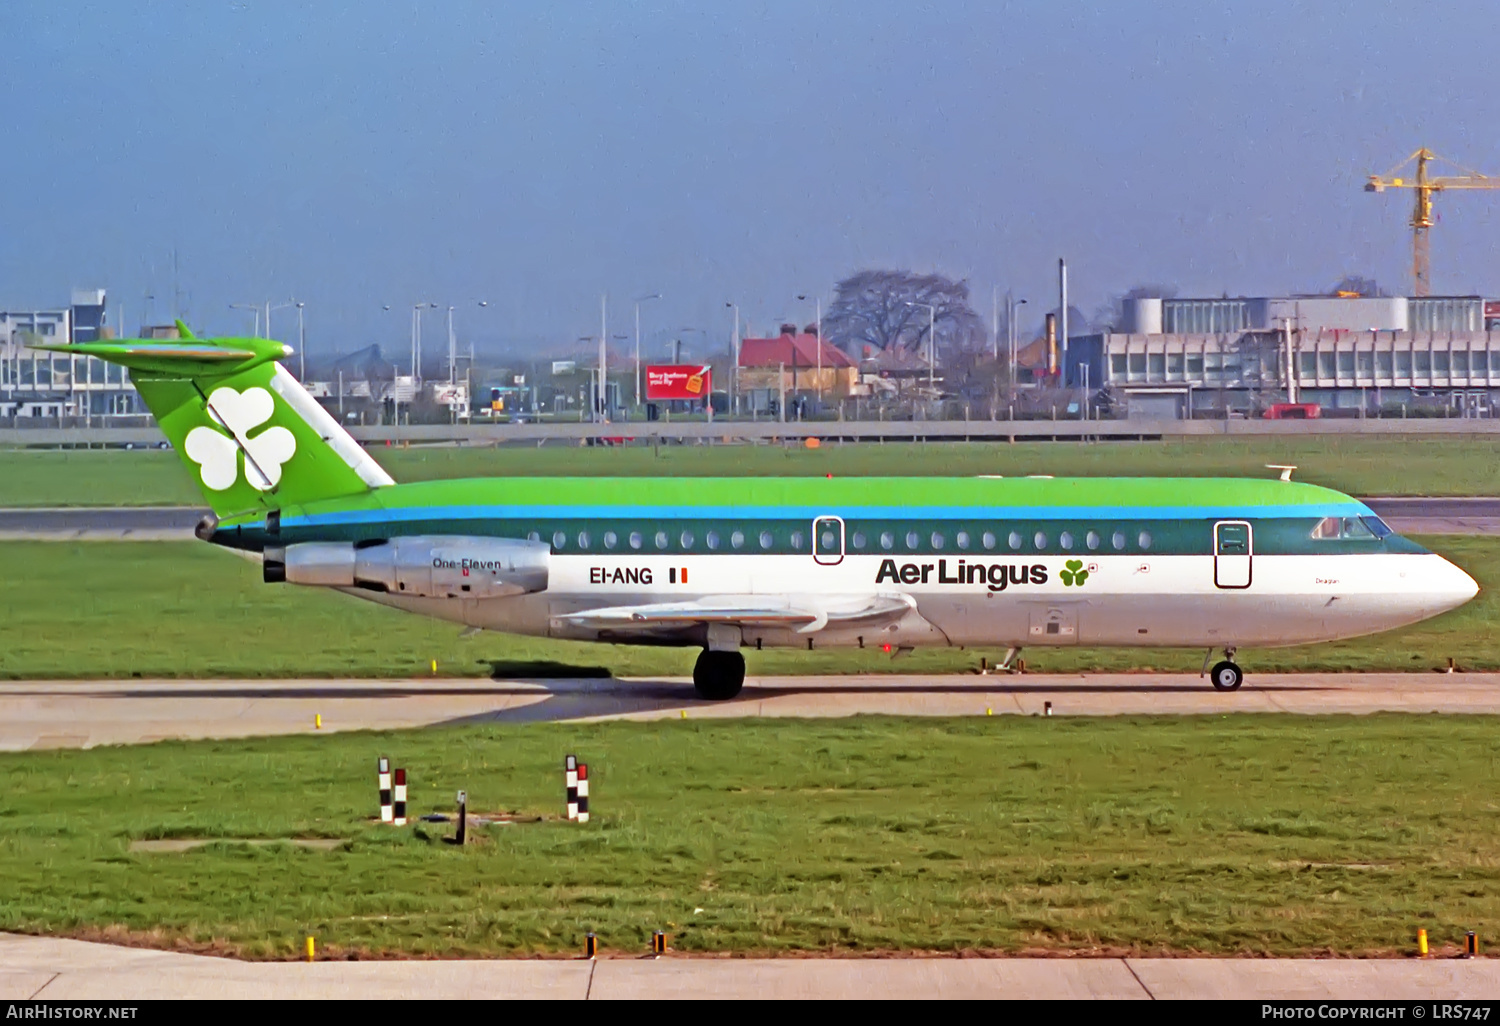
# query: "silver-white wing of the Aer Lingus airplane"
[797,613]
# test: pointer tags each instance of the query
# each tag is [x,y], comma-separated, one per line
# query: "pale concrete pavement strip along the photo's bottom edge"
[56,970]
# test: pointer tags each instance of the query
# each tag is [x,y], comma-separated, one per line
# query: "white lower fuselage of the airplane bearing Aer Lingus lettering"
[1124,601]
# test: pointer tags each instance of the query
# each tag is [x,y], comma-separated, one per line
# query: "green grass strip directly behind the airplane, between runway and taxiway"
[187,610]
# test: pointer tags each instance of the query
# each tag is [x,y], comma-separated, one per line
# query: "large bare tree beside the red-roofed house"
[887,310]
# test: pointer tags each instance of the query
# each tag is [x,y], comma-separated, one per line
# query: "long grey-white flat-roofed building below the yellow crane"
[1391,358]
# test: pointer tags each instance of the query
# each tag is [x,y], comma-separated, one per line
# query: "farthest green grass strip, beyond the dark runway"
[1454,466]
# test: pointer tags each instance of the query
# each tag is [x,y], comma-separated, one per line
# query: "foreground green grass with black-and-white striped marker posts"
[1247,835]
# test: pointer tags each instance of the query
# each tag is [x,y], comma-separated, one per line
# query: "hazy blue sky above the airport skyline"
[535,157]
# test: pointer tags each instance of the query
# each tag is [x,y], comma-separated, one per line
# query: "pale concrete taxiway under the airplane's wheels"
[76,715]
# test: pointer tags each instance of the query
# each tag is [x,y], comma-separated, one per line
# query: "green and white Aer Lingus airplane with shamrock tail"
[725,565]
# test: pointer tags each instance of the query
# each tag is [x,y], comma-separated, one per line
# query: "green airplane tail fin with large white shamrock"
[247,430]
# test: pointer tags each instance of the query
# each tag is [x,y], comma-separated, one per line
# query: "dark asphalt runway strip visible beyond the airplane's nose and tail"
[1468,515]
